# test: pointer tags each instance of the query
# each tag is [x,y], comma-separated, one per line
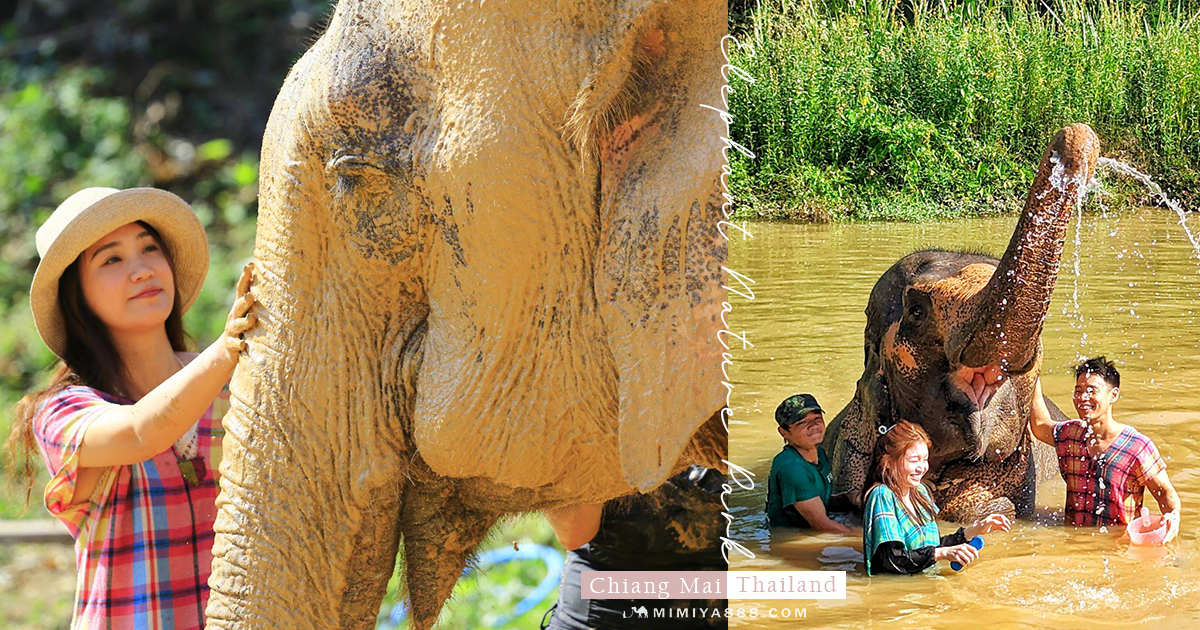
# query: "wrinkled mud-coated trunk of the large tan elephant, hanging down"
[314,461]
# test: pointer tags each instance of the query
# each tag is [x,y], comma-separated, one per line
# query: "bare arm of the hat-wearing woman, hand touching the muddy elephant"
[131,434]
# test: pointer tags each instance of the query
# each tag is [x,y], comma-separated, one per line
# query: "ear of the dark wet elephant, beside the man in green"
[853,435]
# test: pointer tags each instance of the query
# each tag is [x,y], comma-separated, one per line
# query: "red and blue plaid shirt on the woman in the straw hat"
[145,537]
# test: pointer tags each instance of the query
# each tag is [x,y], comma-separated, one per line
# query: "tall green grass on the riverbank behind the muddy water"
[862,112]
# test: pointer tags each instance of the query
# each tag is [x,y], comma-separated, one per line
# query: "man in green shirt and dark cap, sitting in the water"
[801,478]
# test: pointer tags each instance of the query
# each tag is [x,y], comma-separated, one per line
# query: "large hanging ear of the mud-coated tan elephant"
[661,257]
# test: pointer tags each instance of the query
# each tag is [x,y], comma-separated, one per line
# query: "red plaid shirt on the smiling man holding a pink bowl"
[1106,490]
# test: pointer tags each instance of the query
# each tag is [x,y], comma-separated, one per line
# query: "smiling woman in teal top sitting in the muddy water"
[901,533]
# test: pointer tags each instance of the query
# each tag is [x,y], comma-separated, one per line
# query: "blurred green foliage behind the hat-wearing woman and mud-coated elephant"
[172,94]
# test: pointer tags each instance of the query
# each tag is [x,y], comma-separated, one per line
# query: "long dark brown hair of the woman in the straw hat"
[91,359]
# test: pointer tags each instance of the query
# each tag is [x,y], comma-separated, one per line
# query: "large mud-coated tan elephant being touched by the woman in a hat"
[489,281]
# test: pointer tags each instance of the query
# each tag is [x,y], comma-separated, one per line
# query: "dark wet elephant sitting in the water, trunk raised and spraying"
[955,344]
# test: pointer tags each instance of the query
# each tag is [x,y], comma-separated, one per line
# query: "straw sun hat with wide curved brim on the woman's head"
[91,214]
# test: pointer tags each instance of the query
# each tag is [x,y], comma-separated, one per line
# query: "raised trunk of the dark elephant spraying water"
[1013,307]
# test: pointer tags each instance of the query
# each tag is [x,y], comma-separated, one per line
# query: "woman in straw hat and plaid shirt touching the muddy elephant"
[130,427]
